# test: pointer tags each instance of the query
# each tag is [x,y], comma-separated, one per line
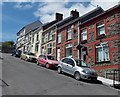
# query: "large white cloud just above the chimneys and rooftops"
[46,11]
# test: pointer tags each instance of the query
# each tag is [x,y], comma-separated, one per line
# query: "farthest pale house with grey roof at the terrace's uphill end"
[24,36]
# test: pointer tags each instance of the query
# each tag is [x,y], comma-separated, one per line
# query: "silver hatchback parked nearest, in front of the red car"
[78,68]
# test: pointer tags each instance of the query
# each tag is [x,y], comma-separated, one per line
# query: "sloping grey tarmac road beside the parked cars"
[26,78]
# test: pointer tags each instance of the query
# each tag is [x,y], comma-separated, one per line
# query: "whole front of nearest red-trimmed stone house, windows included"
[103,40]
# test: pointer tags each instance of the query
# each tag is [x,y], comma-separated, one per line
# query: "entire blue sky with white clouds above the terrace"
[15,14]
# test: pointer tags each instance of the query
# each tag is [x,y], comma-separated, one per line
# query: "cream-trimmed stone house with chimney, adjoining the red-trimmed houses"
[48,36]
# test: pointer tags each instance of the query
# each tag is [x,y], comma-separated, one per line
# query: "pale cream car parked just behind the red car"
[28,56]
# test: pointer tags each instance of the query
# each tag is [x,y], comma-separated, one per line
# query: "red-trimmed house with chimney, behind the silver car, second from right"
[67,36]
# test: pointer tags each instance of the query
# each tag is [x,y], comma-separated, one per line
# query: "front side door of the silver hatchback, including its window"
[70,66]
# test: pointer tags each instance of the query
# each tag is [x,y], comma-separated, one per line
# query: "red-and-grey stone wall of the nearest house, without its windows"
[112,31]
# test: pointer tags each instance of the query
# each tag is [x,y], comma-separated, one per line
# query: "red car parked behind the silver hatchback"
[47,60]
